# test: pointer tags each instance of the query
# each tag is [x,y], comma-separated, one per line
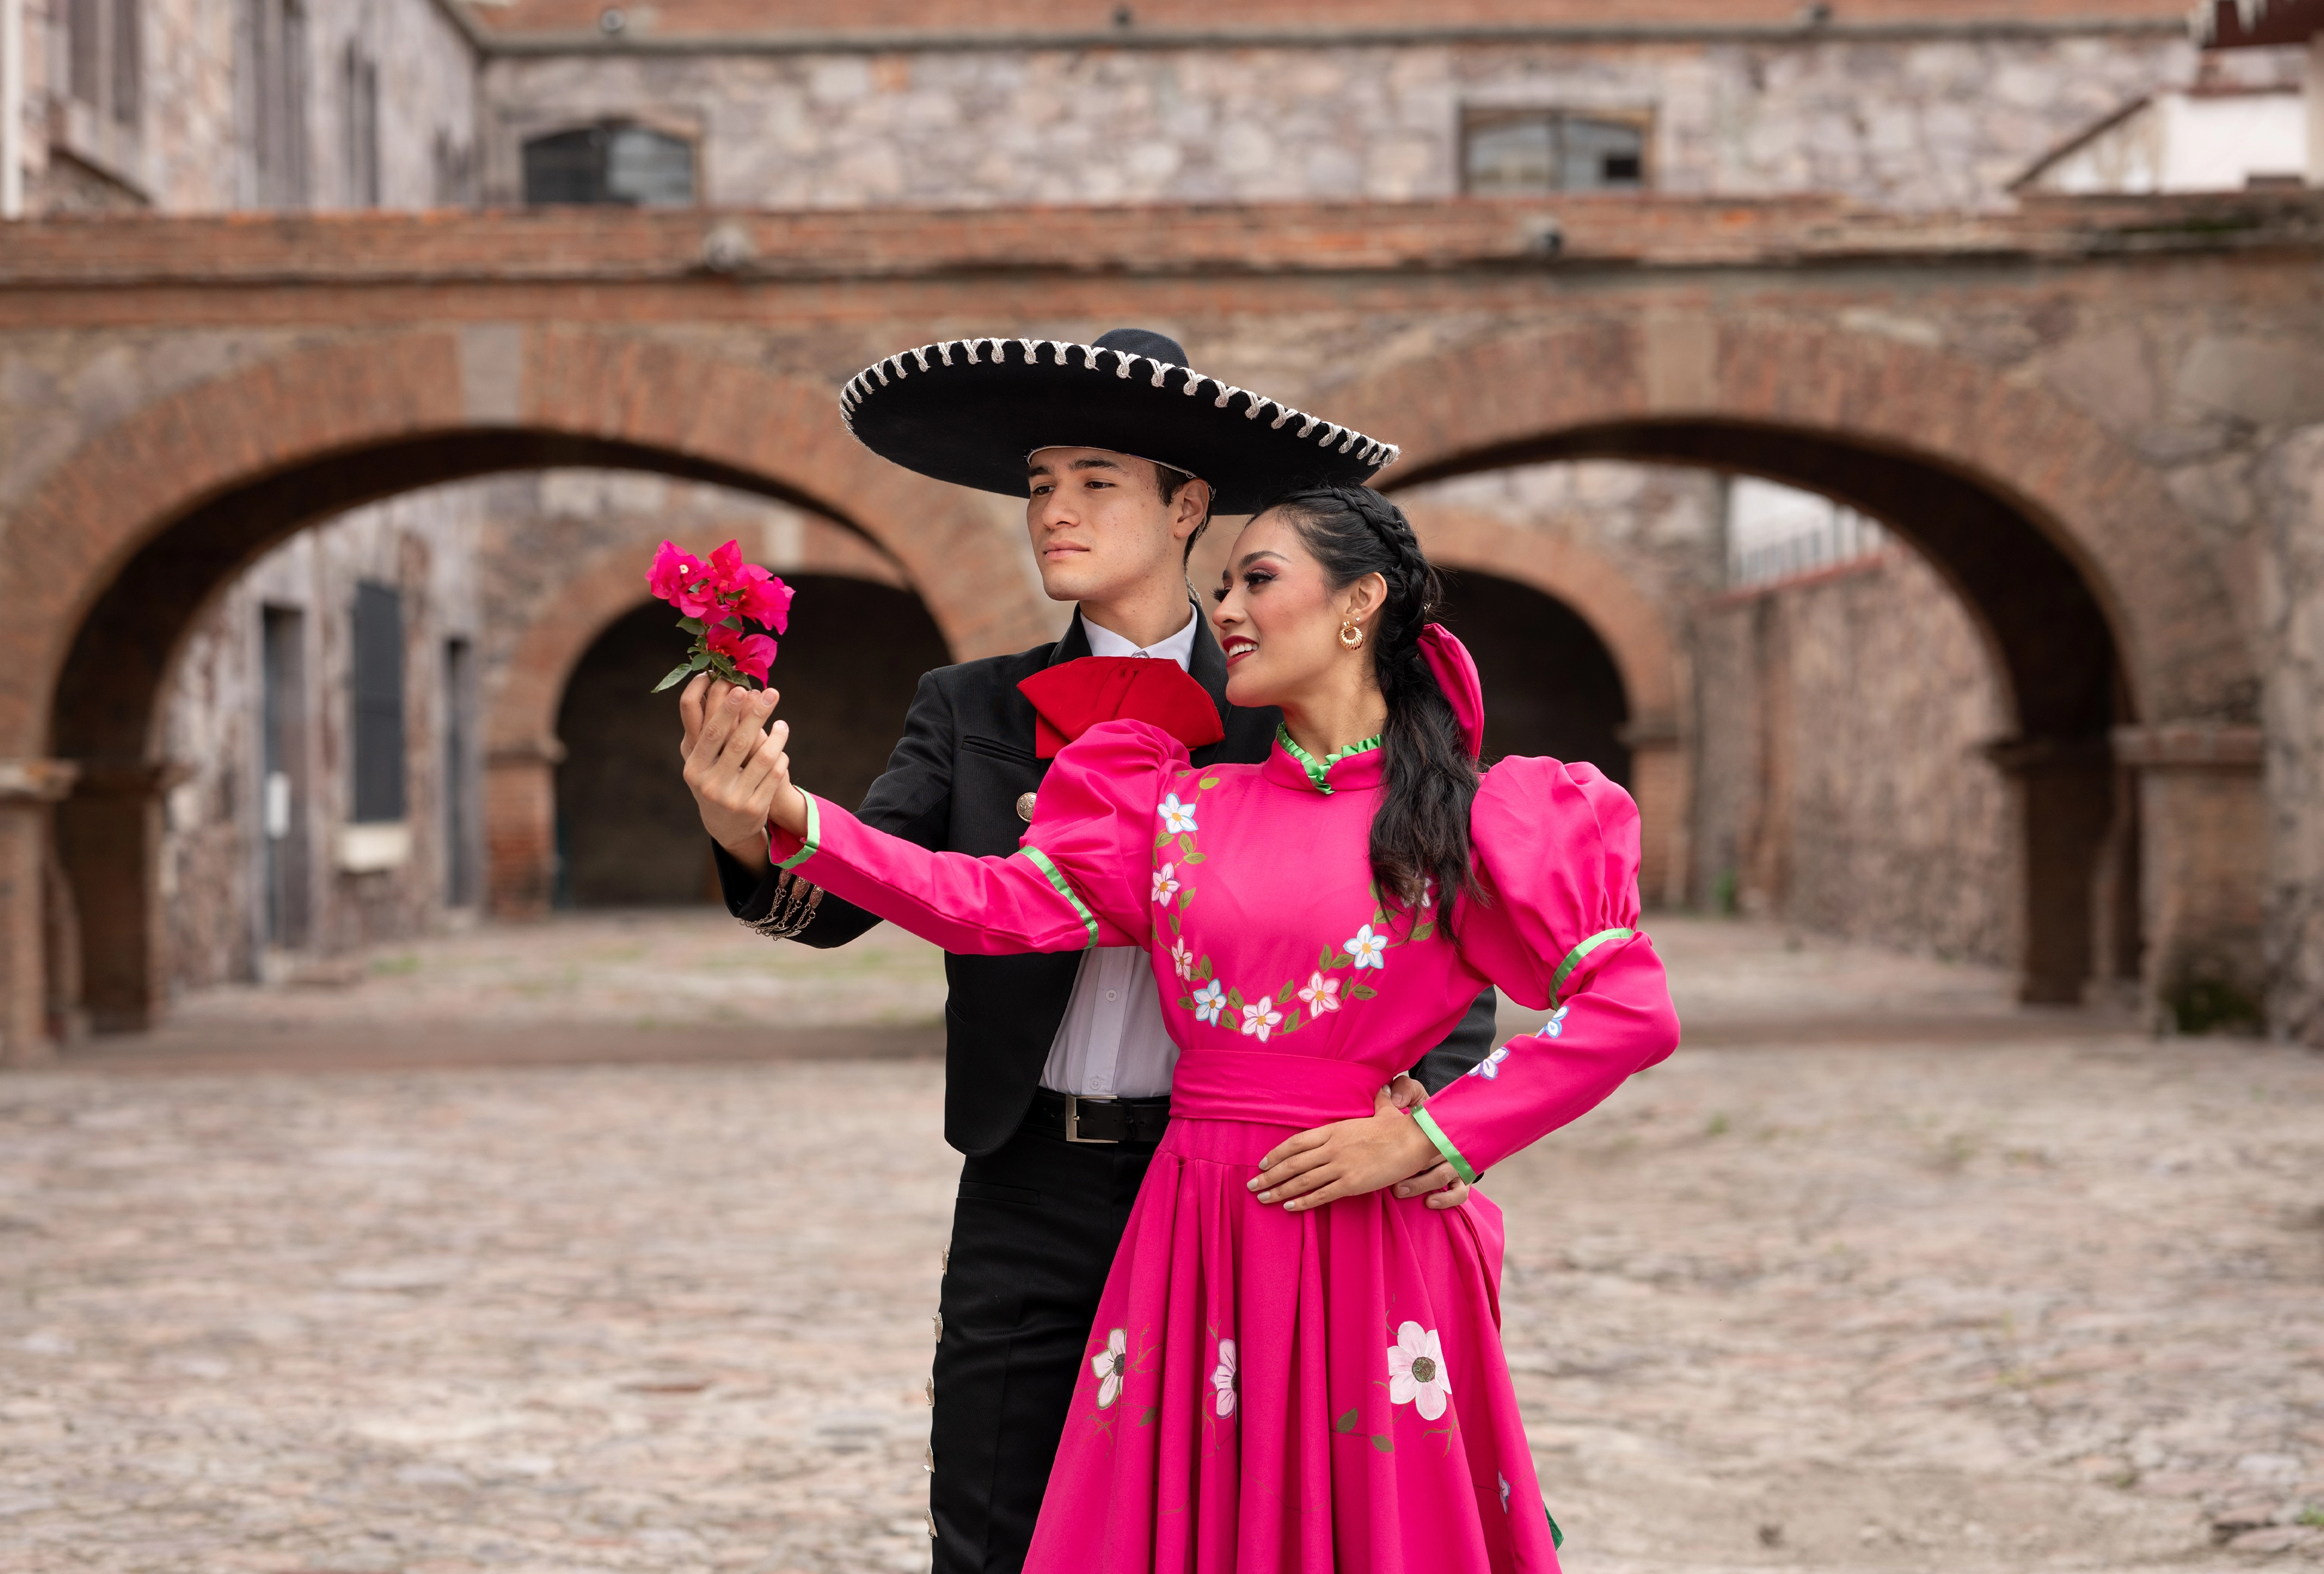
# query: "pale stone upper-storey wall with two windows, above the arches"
[1918,124]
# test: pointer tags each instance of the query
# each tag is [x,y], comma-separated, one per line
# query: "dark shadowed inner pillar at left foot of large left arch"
[108,836]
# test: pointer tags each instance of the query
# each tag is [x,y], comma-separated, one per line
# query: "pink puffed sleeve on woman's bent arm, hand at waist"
[1556,922]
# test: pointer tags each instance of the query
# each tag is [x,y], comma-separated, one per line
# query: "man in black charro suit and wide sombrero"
[1056,1066]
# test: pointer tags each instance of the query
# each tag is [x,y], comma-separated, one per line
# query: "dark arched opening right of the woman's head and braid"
[1551,685]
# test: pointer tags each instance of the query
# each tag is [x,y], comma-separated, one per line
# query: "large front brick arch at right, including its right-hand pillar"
[2111,622]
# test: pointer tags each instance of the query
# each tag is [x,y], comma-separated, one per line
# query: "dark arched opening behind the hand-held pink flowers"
[629,833]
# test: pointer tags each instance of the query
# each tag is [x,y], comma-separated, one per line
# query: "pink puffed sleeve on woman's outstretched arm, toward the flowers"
[1082,878]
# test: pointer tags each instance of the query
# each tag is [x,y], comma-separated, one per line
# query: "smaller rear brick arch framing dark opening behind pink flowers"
[522,747]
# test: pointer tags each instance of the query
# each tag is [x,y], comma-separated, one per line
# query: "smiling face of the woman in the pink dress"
[1279,620]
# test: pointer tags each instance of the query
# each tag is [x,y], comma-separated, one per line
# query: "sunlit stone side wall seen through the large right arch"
[1842,775]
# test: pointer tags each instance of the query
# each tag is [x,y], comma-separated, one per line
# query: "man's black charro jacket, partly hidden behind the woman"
[952,785]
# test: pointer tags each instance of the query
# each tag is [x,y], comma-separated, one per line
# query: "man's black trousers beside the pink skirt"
[1033,1238]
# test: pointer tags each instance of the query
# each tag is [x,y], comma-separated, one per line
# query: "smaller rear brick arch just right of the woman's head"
[1633,629]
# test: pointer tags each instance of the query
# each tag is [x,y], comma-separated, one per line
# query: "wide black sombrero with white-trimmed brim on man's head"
[970,413]
